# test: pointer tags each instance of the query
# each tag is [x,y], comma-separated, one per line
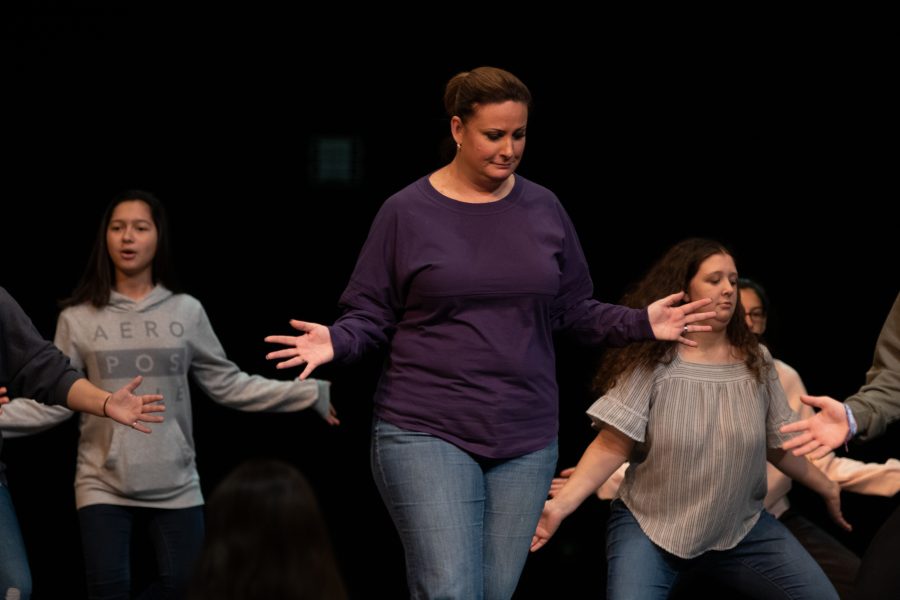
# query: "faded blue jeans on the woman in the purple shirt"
[465,521]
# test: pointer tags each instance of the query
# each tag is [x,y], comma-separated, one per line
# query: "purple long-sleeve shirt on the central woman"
[469,297]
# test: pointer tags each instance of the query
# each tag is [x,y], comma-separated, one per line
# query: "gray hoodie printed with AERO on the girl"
[163,336]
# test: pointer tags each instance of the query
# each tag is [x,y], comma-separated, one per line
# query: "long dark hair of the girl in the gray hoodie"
[99,274]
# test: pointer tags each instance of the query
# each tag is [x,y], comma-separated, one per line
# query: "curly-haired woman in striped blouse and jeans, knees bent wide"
[698,424]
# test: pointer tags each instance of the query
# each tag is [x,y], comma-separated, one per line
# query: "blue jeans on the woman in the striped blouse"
[768,563]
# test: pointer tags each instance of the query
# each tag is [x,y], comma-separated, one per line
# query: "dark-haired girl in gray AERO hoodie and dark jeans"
[123,319]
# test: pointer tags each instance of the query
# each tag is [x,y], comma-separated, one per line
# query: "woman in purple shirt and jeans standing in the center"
[466,274]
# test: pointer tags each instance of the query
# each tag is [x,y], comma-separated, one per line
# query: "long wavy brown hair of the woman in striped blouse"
[673,273]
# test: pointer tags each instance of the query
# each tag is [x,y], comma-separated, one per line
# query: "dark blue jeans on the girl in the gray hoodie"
[176,534]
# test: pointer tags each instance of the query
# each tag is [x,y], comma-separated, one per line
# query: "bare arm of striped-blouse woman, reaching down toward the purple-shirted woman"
[602,457]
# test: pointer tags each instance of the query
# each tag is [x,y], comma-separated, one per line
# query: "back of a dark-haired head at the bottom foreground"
[266,538]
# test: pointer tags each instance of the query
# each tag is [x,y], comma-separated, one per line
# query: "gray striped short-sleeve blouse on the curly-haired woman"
[698,470]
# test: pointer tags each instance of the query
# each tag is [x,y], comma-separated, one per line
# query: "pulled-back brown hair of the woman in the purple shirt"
[484,85]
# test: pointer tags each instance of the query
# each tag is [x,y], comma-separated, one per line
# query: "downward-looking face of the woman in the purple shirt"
[491,141]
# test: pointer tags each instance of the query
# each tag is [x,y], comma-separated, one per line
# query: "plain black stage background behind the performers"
[778,148]
